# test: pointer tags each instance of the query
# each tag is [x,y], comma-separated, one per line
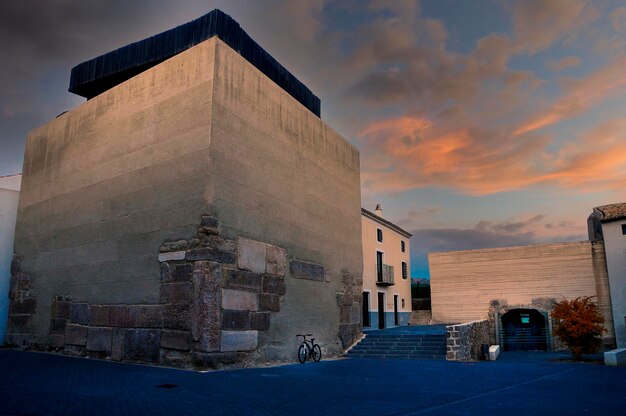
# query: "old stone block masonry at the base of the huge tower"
[216,297]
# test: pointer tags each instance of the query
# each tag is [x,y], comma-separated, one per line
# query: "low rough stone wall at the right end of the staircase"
[464,341]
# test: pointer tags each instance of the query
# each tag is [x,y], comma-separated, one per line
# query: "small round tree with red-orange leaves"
[579,324]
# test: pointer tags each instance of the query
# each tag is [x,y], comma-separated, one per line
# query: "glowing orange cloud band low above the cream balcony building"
[411,152]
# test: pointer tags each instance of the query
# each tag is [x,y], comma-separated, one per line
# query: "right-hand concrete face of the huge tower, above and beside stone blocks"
[280,175]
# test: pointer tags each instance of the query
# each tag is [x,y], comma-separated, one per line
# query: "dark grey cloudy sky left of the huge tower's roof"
[41,41]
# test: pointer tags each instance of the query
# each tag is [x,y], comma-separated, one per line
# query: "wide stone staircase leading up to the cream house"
[408,346]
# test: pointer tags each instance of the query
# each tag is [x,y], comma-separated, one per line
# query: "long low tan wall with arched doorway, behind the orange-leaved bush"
[516,288]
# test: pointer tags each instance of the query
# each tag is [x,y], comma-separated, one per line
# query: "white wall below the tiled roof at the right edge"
[615,248]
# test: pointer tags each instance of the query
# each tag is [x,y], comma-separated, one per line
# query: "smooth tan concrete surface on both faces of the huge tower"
[131,171]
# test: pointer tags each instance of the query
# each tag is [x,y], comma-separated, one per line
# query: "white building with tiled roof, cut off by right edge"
[608,225]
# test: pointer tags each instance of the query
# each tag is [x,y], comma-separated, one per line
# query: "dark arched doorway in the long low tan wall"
[524,330]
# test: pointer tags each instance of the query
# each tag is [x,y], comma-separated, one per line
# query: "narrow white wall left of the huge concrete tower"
[9,198]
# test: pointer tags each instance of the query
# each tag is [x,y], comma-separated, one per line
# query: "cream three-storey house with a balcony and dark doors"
[386,272]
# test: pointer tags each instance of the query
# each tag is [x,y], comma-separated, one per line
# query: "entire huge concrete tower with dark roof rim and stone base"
[197,213]
